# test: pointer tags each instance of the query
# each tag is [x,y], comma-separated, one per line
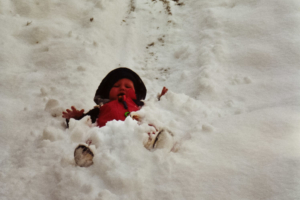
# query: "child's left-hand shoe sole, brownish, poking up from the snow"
[83,156]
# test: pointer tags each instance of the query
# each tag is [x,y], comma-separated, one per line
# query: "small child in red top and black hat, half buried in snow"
[120,93]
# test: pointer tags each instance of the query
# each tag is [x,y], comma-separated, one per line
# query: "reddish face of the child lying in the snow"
[121,87]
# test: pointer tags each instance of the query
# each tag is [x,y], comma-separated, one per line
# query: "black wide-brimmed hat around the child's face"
[115,75]
